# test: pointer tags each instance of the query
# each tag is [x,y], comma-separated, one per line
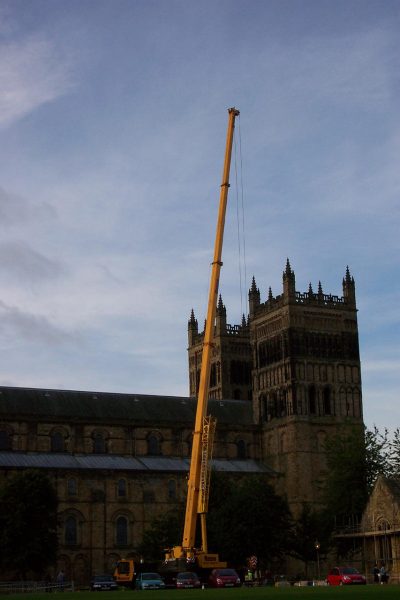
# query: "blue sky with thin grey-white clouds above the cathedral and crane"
[113,119]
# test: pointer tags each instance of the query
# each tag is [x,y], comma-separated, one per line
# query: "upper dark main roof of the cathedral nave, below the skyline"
[69,405]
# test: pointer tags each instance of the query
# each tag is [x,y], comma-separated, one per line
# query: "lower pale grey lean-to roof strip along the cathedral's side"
[43,460]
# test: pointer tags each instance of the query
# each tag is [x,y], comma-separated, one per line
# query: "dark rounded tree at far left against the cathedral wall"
[28,523]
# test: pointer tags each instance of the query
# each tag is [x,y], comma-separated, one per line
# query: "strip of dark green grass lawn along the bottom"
[262,593]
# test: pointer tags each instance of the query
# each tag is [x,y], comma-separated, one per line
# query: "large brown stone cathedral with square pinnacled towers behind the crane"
[281,382]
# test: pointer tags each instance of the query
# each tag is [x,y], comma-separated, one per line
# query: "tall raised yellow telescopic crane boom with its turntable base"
[199,474]
